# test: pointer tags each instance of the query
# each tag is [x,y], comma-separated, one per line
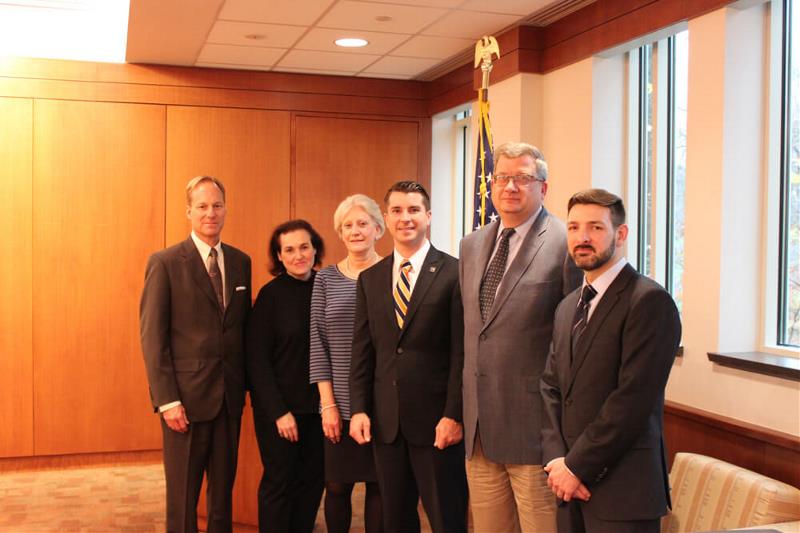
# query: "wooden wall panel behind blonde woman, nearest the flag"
[337,157]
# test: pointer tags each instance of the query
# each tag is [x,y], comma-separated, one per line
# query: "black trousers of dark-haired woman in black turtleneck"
[293,480]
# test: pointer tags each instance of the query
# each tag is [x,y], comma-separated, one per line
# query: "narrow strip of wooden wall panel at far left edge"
[16,352]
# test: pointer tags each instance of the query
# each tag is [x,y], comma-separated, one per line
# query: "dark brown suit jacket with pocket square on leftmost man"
[193,352]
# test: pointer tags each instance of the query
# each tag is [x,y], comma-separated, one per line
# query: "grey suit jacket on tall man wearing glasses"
[504,356]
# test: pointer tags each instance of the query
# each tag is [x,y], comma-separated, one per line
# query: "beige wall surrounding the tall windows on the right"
[582,133]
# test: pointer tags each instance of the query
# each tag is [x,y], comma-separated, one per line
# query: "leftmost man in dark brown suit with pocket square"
[194,306]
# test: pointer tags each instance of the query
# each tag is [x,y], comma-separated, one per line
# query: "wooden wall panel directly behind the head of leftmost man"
[249,151]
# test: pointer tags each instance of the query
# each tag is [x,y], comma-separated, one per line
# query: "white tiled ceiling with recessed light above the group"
[408,39]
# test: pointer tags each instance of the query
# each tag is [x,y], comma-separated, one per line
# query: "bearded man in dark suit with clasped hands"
[614,342]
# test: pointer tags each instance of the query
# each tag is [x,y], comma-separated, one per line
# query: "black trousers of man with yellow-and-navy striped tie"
[406,472]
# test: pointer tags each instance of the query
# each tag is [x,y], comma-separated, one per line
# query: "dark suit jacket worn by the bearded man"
[605,409]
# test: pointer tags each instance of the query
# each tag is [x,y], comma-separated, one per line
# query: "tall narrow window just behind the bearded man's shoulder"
[658,89]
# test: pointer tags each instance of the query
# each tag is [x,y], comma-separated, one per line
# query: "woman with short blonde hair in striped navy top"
[359,223]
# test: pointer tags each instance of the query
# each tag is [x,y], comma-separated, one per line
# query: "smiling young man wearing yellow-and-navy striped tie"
[405,374]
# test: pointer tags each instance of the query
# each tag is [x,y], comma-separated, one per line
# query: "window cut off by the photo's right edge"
[788,322]
